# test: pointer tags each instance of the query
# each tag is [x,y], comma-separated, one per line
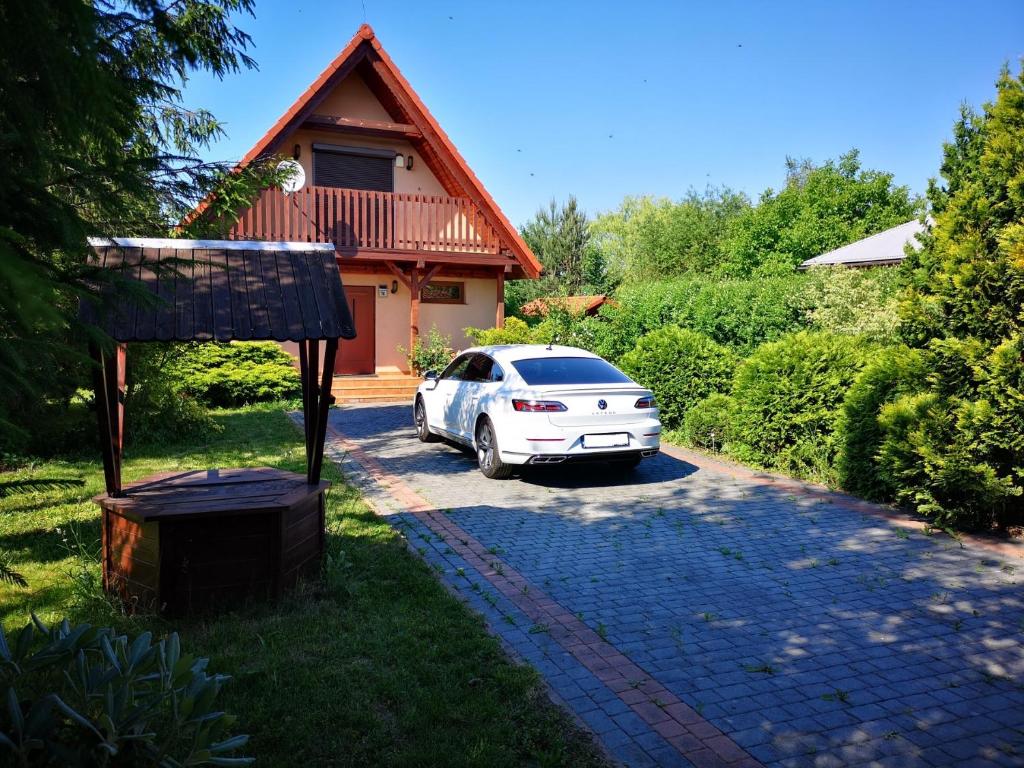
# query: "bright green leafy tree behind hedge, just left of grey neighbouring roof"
[820,209]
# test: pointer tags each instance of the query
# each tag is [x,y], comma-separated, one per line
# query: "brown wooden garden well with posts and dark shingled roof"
[187,541]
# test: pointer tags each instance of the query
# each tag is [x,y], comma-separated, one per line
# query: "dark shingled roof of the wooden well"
[204,290]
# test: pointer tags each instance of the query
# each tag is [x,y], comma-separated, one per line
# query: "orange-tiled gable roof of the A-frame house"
[365,55]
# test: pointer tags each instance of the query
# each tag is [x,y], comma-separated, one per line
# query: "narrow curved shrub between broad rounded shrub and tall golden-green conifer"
[892,373]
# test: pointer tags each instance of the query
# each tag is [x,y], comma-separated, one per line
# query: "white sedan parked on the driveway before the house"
[527,404]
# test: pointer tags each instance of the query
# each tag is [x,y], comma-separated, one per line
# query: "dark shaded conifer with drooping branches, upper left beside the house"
[98,141]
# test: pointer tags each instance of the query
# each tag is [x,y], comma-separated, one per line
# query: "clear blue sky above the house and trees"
[605,100]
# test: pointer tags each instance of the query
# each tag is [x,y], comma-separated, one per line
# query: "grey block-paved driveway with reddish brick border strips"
[690,615]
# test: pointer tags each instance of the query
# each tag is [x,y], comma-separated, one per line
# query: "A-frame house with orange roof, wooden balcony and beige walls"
[418,239]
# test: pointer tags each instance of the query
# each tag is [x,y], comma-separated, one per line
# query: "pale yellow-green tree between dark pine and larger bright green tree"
[654,239]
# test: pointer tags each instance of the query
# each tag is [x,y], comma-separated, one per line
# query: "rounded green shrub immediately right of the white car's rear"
[681,368]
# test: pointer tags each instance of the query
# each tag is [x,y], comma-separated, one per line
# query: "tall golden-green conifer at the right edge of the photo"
[956,450]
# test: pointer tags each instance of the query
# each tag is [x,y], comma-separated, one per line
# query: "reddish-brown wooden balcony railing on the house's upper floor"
[355,220]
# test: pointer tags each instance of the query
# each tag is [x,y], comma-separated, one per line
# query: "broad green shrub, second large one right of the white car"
[788,397]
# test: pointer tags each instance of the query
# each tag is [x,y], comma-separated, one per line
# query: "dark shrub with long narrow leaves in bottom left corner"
[88,697]
